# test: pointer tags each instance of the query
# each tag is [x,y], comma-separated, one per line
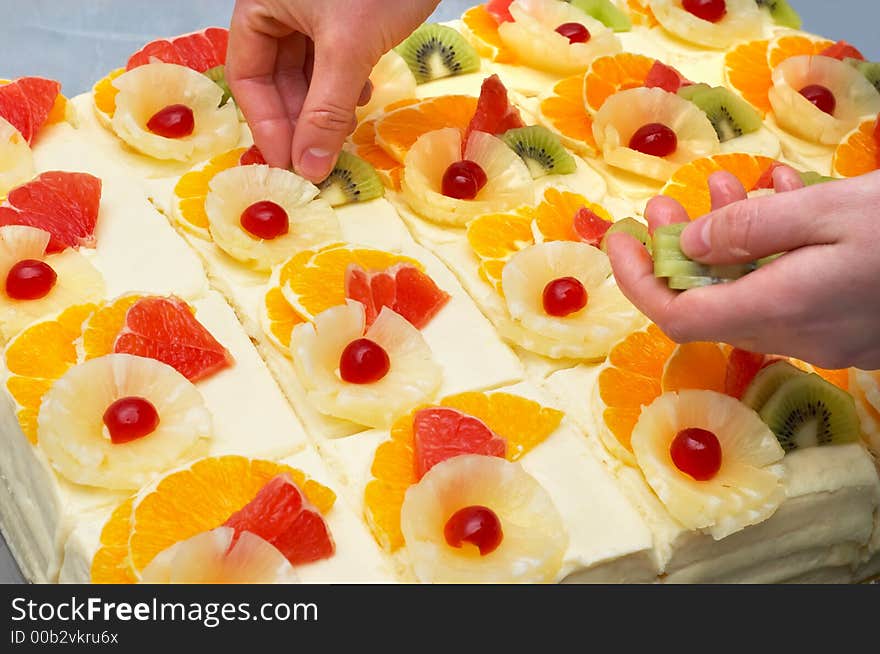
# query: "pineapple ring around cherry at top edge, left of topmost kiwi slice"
[533,37]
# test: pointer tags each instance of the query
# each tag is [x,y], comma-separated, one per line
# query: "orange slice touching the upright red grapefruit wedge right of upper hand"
[397,131]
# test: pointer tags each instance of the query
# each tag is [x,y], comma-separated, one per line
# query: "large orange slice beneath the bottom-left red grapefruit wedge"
[202,497]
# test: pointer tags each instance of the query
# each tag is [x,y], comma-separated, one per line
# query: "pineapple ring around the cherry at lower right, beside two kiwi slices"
[746,490]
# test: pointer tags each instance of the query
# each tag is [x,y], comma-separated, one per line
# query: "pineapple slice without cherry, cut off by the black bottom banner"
[212,557]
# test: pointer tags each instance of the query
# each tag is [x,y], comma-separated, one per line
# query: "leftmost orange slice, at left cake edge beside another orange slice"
[38,357]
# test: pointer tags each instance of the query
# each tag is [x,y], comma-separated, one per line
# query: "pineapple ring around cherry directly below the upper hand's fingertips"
[312,220]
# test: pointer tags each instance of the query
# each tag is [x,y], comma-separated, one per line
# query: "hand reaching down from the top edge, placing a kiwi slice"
[299,68]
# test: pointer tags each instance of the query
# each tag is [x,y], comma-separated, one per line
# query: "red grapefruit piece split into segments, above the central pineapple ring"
[403,288]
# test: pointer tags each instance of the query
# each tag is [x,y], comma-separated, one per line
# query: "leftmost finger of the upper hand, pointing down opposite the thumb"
[250,69]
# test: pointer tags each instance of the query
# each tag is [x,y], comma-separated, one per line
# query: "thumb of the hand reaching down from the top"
[328,114]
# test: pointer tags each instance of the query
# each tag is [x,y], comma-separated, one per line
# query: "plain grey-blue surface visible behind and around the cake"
[78,41]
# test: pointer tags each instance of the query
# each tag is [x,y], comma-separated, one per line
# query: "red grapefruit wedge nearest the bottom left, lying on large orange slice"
[280,515]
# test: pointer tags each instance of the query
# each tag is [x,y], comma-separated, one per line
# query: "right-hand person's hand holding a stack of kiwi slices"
[820,302]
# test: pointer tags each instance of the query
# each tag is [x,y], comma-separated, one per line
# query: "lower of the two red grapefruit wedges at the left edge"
[64,204]
